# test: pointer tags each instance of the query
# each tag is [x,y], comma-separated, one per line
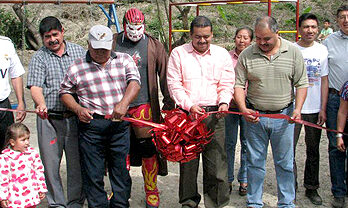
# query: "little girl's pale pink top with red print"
[22,177]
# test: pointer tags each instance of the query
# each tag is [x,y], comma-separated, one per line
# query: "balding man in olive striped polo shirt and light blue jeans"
[272,67]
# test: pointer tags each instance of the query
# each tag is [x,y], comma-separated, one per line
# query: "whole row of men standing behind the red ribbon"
[86,93]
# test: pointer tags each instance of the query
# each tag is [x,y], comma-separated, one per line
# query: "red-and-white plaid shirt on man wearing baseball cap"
[99,88]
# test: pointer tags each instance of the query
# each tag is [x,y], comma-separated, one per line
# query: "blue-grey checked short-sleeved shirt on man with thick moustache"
[47,70]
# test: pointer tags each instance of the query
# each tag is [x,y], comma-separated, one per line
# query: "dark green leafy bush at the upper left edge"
[11,27]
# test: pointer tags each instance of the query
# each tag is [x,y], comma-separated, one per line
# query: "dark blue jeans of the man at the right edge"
[337,159]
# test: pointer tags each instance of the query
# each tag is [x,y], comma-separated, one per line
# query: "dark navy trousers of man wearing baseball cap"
[103,140]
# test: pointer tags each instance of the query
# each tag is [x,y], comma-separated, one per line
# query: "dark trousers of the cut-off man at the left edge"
[6,119]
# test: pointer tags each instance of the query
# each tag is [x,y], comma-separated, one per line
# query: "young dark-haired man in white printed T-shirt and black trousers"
[314,108]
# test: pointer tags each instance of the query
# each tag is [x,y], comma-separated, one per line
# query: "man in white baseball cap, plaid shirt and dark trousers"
[105,83]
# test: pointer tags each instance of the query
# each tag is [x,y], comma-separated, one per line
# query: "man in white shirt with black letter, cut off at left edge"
[10,66]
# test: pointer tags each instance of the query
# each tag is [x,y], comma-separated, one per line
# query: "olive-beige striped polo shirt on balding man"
[271,81]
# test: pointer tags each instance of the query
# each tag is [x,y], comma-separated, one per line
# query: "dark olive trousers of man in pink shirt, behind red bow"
[215,182]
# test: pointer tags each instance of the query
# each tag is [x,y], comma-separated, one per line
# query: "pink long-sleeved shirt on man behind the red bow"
[200,79]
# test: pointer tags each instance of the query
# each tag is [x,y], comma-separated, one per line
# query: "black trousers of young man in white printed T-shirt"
[312,140]
